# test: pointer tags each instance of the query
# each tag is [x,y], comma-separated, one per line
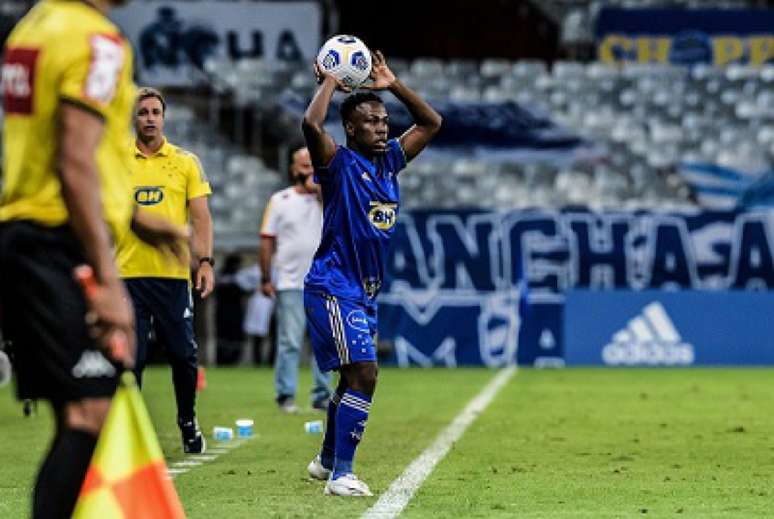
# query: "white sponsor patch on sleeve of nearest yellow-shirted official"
[107,60]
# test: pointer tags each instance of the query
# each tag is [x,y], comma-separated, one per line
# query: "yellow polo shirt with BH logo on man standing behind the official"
[162,184]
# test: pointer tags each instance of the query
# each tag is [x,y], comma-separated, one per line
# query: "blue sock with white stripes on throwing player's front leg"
[349,426]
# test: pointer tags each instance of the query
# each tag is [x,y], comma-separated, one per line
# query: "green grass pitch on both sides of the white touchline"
[567,443]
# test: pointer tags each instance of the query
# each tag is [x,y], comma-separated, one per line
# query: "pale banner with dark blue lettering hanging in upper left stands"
[175,38]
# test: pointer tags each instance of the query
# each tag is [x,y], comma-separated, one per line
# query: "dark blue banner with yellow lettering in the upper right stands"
[686,36]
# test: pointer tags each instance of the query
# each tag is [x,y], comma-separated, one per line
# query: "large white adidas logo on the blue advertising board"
[649,339]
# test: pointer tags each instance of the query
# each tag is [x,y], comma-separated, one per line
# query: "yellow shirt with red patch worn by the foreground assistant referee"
[64,50]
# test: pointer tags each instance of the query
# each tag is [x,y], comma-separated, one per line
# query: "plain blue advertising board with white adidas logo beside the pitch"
[669,328]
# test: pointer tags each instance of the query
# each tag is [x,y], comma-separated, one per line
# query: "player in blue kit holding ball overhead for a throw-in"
[360,194]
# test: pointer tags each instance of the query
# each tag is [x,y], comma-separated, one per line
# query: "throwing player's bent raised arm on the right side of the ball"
[427,121]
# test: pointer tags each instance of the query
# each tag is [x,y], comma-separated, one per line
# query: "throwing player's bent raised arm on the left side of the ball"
[321,146]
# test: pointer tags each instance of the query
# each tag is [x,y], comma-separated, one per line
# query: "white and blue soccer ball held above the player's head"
[347,58]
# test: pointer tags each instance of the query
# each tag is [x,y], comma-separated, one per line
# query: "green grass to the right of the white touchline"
[614,443]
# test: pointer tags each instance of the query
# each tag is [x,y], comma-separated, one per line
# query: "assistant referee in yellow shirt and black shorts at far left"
[67,97]
